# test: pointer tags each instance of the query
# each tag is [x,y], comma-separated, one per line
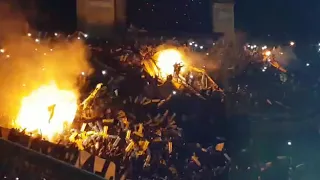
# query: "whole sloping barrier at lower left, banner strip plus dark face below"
[23,152]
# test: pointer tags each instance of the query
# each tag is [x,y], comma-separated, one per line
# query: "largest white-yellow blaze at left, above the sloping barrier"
[47,110]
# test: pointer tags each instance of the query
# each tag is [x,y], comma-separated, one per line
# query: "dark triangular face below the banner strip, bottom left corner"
[19,162]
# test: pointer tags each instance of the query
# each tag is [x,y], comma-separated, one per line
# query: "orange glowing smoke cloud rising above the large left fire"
[28,63]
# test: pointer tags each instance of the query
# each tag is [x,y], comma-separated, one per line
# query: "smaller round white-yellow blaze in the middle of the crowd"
[166,61]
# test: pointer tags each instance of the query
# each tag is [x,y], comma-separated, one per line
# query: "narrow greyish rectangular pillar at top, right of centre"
[223,18]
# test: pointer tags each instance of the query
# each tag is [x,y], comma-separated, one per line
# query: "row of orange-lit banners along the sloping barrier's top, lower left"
[106,168]
